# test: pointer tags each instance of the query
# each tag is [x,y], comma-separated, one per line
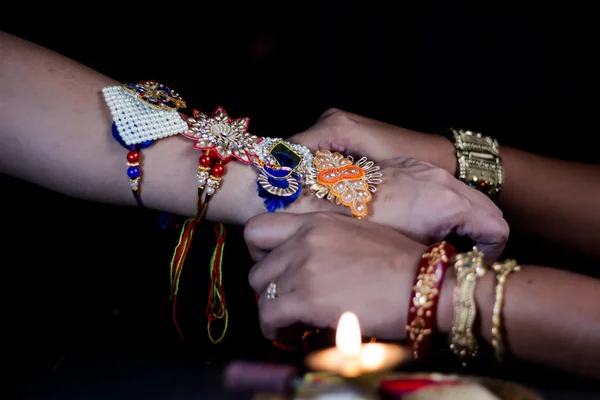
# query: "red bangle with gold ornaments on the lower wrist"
[425,296]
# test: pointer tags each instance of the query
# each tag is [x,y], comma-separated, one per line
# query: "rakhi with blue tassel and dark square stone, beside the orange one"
[282,167]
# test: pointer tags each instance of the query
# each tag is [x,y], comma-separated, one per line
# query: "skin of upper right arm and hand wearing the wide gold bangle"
[552,199]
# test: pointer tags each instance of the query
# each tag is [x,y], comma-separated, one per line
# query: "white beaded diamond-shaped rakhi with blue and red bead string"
[142,113]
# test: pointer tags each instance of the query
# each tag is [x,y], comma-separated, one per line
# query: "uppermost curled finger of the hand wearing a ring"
[267,231]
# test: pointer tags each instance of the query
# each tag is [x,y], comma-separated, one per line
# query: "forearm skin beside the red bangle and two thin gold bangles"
[551,317]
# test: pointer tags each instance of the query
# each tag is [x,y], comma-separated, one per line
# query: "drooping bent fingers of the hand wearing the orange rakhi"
[488,229]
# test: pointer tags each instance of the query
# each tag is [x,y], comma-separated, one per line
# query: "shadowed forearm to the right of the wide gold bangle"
[553,199]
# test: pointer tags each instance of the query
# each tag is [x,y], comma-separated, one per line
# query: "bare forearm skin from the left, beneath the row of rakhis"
[56,103]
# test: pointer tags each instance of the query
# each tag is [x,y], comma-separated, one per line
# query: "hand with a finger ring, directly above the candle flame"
[325,264]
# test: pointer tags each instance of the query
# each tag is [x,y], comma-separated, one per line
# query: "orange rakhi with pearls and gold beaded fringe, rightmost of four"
[343,181]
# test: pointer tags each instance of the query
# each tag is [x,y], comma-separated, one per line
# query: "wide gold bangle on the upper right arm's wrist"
[479,162]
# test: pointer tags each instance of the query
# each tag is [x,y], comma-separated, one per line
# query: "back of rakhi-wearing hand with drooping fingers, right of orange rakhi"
[426,203]
